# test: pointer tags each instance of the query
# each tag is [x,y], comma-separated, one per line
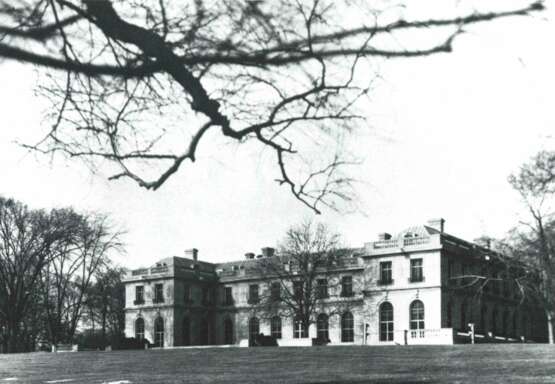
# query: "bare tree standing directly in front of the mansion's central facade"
[304,280]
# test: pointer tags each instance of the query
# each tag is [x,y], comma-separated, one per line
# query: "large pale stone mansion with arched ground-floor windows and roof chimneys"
[402,289]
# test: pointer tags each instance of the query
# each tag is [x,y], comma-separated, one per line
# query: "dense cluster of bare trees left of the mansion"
[55,266]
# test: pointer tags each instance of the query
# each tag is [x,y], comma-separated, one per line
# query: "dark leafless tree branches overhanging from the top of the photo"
[141,83]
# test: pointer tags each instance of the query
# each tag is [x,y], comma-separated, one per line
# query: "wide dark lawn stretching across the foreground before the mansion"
[494,363]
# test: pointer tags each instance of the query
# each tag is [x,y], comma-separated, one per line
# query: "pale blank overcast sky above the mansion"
[444,132]
